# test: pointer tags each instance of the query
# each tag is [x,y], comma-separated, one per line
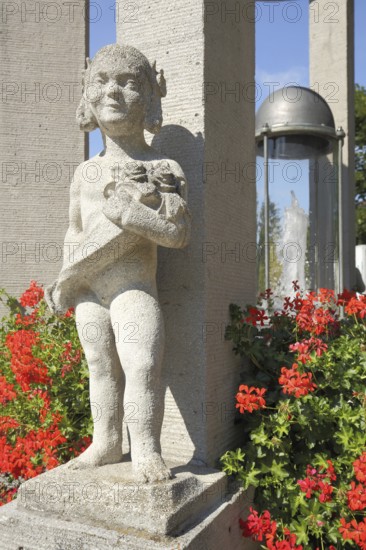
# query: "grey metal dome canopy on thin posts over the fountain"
[297,123]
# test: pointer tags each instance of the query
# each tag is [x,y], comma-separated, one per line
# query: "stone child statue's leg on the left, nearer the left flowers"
[106,383]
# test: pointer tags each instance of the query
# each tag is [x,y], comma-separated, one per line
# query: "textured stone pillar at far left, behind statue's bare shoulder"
[43,46]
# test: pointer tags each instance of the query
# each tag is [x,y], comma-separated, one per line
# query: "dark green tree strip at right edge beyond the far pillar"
[360,163]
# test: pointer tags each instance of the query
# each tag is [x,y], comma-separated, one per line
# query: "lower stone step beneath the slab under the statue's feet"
[217,528]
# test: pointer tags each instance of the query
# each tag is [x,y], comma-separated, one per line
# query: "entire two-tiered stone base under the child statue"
[103,509]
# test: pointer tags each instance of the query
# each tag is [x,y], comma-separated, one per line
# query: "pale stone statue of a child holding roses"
[123,203]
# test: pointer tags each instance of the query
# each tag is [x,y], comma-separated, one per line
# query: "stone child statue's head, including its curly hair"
[120,91]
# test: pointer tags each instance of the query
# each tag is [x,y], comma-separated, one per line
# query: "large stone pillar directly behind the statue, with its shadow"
[207,52]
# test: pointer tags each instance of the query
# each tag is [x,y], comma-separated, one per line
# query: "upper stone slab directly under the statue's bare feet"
[110,497]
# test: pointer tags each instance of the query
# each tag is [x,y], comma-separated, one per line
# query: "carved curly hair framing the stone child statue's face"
[141,66]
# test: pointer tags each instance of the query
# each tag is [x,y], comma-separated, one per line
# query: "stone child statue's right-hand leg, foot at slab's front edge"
[140,343]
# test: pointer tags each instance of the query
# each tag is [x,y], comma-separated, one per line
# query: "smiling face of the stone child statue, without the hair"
[117,98]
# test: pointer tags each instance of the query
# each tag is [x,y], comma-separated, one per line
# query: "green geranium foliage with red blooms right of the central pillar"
[321,426]
